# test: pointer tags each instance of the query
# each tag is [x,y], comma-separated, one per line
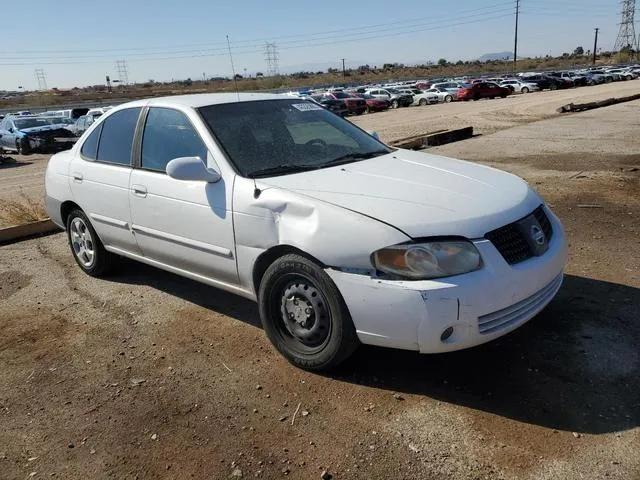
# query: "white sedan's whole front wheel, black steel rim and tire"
[327,337]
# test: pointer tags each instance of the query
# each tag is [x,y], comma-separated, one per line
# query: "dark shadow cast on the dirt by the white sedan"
[575,367]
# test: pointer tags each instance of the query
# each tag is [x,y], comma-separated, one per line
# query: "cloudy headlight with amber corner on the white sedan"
[421,261]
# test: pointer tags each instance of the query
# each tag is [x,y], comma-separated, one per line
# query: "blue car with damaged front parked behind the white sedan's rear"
[26,134]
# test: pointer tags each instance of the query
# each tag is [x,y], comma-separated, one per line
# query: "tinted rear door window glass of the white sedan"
[116,140]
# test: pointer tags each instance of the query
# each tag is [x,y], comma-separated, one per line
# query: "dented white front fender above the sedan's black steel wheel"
[335,236]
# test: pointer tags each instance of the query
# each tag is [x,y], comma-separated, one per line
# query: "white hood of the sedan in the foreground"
[420,194]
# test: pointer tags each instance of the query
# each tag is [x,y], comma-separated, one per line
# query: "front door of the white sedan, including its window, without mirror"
[182,224]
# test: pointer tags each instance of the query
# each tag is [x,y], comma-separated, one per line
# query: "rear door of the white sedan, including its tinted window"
[99,178]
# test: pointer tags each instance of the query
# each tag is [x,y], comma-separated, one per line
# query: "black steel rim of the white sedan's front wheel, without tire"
[304,313]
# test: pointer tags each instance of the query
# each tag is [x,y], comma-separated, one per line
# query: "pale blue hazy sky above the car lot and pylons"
[78,42]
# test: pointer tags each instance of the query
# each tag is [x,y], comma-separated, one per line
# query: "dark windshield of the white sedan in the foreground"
[268,137]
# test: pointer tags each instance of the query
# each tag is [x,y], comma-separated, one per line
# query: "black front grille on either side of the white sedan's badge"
[511,242]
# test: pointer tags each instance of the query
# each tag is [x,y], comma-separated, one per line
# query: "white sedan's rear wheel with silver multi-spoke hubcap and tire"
[101,261]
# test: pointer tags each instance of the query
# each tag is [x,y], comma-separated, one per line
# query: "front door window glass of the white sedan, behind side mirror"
[168,134]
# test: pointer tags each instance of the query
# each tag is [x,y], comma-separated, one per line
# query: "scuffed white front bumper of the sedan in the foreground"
[480,306]
